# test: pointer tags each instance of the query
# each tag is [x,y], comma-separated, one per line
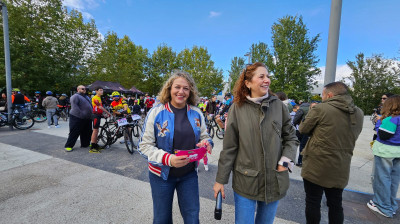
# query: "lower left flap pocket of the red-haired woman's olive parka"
[246,180]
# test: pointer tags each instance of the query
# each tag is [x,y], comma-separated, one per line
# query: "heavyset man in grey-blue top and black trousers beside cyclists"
[80,122]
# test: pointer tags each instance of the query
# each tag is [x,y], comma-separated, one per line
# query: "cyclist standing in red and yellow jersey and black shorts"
[98,111]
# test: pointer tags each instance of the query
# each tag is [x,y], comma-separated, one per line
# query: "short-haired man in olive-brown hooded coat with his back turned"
[333,126]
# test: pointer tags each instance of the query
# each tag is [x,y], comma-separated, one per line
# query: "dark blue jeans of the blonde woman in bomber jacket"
[187,189]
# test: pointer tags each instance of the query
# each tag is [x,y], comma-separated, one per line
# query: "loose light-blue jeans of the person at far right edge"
[386,183]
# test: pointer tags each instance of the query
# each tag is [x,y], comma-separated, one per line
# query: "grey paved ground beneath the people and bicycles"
[42,183]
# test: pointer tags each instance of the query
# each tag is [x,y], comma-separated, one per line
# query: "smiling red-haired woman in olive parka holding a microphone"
[259,146]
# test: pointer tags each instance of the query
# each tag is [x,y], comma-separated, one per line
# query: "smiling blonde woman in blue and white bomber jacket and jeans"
[174,124]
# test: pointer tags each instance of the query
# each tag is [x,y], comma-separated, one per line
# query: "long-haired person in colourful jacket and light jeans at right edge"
[386,150]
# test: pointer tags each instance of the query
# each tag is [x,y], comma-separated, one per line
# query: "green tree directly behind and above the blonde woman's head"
[197,61]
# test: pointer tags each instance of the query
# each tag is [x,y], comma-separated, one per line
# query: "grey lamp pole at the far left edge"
[7,58]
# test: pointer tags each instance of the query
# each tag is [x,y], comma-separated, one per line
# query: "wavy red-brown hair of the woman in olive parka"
[240,90]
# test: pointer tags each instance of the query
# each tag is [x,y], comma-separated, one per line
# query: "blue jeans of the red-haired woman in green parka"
[245,208]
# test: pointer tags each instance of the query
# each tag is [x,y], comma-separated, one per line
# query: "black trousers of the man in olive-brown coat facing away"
[313,203]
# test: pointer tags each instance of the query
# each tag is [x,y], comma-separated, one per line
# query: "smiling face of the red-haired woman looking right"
[259,84]
